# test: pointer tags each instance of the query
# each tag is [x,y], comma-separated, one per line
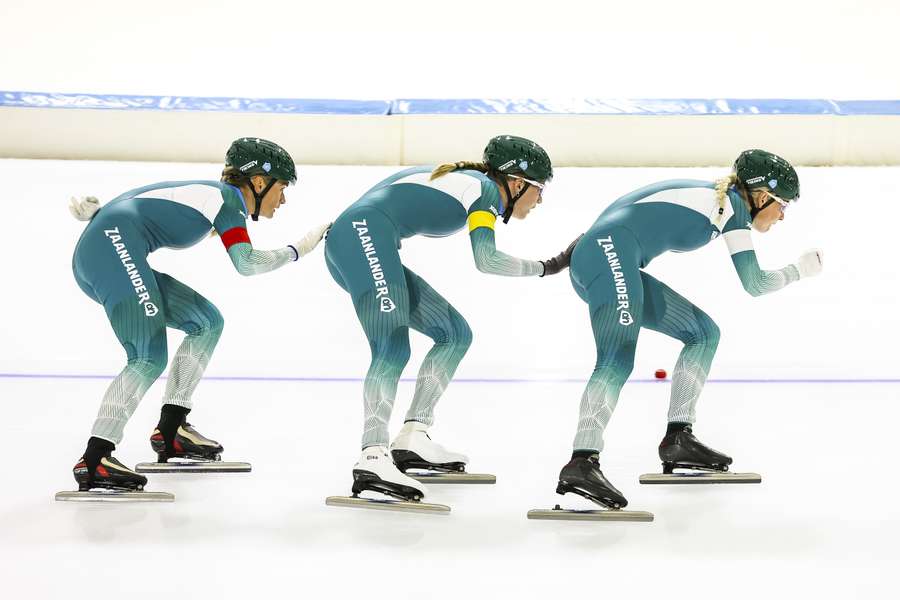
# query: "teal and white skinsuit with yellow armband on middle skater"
[362,255]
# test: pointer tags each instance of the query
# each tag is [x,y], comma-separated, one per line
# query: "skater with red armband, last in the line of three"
[111,266]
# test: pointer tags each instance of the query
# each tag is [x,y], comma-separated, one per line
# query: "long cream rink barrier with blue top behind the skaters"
[586,133]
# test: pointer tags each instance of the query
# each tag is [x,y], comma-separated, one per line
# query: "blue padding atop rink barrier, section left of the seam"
[193,103]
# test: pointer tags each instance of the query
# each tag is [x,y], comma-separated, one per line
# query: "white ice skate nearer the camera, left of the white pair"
[376,472]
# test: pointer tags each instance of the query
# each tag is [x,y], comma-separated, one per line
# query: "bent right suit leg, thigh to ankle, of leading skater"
[669,313]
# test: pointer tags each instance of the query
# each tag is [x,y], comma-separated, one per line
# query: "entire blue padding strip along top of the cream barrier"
[690,106]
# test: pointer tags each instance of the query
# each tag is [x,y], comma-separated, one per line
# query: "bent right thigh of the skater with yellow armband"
[431,314]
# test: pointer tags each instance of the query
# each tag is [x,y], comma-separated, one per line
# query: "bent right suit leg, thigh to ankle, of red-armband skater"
[188,311]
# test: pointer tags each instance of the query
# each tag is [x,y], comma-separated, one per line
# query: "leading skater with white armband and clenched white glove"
[606,272]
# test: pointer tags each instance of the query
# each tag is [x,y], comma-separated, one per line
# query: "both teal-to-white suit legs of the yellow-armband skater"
[359,245]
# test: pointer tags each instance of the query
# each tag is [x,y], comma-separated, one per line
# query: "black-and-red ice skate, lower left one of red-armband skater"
[110,481]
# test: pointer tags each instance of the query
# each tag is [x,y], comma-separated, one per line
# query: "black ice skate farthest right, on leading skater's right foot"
[680,449]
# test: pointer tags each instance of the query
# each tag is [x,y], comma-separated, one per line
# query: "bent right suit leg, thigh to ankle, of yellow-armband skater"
[433,316]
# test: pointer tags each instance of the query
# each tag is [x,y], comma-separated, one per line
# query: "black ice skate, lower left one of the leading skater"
[582,476]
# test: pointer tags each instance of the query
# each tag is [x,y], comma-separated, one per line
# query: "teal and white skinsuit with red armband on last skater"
[110,265]
